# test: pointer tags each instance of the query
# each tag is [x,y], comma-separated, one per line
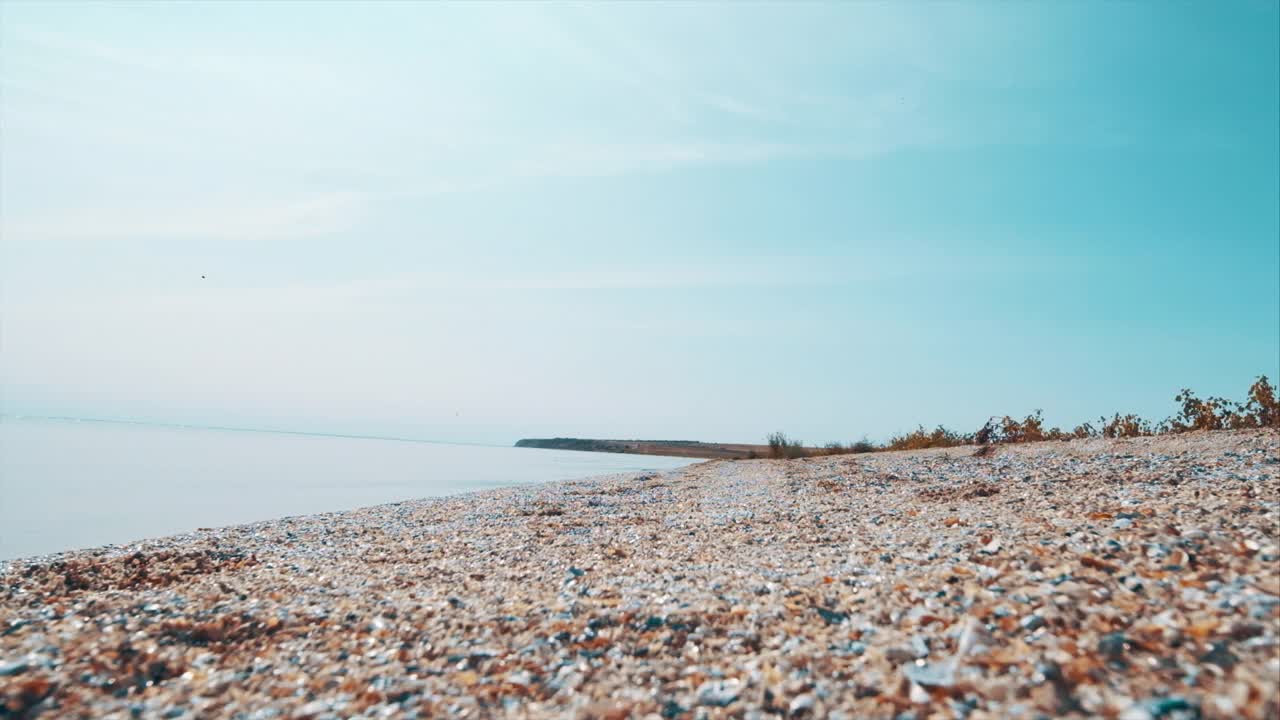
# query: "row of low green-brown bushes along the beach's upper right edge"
[1261,409]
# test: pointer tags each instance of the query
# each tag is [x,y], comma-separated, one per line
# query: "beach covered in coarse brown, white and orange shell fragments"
[1130,580]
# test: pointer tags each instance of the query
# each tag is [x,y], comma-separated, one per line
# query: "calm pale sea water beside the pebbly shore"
[68,485]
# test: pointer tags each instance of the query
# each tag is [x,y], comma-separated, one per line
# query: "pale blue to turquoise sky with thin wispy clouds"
[651,221]
